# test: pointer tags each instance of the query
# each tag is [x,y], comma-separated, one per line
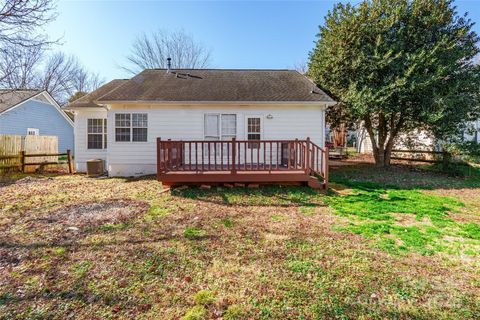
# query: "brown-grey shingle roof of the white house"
[214,85]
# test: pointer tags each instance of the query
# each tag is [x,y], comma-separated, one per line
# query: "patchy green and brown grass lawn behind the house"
[399,244]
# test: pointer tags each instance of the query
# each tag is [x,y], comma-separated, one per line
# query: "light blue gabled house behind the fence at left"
[35,112]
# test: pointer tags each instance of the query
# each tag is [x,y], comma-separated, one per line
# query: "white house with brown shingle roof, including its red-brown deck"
[211,117]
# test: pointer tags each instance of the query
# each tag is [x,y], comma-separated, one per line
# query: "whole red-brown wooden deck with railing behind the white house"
[259,161]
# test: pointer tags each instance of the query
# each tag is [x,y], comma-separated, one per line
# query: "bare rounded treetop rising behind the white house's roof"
[150,51]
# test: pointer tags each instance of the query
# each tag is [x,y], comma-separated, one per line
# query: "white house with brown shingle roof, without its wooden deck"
[121,121]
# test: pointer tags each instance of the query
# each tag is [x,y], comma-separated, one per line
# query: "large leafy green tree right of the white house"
[398,65]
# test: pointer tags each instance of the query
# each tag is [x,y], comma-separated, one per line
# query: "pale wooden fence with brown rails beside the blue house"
[26,154]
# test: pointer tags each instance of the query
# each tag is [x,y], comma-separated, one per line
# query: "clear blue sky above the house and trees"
[255,34]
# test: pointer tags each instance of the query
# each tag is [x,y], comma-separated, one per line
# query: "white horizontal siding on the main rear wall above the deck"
[187,122]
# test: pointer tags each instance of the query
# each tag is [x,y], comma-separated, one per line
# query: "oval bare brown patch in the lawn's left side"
[97,213]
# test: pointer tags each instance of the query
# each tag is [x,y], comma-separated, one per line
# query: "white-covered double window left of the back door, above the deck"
[220,126]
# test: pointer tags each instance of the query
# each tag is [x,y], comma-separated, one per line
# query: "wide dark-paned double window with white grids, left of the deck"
[131,127]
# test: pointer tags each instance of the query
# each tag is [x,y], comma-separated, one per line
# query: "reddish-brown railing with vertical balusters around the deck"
[201,156]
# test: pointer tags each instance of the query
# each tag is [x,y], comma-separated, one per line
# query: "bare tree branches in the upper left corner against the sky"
[19,23]
